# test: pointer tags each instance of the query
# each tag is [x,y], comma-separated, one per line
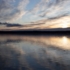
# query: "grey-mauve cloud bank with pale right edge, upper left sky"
[11,10]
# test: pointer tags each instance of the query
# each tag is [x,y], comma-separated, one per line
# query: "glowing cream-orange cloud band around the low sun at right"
[56,22]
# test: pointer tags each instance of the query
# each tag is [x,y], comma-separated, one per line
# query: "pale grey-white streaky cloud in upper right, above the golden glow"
[52,8]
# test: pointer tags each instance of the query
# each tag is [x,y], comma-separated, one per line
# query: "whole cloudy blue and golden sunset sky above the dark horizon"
[38,11]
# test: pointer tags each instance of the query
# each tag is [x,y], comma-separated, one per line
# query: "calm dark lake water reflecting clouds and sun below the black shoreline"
[34,52]
